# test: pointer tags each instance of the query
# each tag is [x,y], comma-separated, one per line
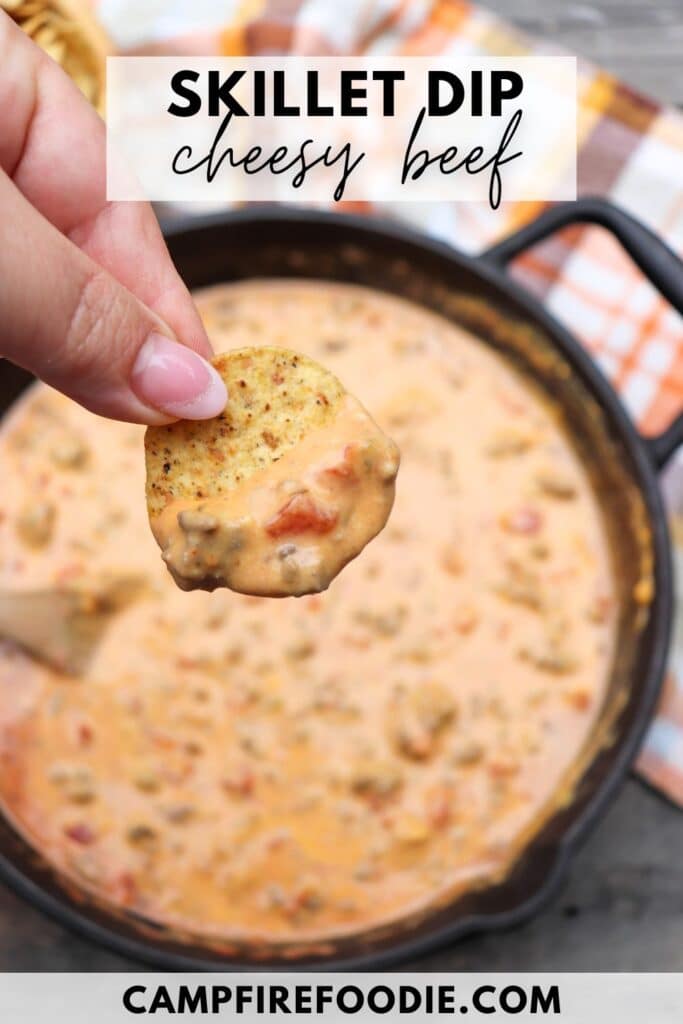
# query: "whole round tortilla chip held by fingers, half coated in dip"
[275,496]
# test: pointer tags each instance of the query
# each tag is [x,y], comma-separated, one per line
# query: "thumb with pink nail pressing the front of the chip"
[76,327]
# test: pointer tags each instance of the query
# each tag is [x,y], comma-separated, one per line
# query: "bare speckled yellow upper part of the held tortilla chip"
[276,398]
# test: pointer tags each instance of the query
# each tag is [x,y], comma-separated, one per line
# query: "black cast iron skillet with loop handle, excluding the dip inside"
[479,293]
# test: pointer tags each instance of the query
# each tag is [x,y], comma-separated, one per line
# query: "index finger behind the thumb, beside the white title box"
[53,145]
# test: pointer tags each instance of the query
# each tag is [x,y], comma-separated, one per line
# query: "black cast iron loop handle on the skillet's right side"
[660,265]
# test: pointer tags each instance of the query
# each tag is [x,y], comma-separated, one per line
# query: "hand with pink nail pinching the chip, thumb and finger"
[90,298]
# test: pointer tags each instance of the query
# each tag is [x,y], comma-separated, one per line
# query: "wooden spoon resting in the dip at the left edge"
[63,628]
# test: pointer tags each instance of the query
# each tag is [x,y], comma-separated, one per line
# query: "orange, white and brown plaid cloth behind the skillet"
[630,150]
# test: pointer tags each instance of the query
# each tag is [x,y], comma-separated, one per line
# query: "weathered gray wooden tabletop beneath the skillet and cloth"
[622,907]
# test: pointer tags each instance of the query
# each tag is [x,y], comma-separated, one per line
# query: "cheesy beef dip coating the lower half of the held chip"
[290,529]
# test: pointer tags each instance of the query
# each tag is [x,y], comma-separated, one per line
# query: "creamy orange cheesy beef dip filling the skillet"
[290,771]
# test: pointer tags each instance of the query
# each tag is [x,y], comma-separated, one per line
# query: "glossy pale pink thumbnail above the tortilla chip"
[176,380]
